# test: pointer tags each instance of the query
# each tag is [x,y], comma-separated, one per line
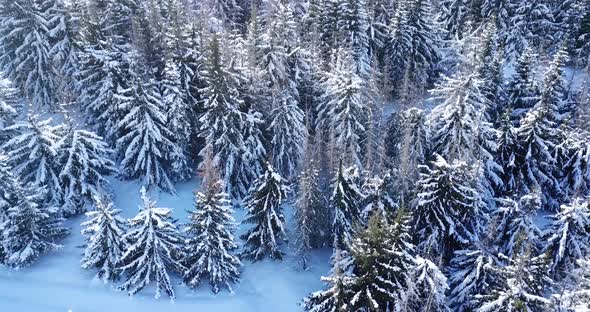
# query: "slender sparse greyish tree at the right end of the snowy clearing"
[312,215]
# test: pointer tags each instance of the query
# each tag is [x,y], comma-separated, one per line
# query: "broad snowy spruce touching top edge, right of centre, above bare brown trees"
[413,47]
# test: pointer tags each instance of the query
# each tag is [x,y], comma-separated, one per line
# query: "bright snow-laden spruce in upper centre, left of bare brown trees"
[344,114]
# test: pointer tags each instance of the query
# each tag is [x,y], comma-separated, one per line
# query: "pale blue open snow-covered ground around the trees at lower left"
[56,283]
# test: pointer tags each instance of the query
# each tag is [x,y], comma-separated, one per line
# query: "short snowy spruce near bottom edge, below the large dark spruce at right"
[472,273]
